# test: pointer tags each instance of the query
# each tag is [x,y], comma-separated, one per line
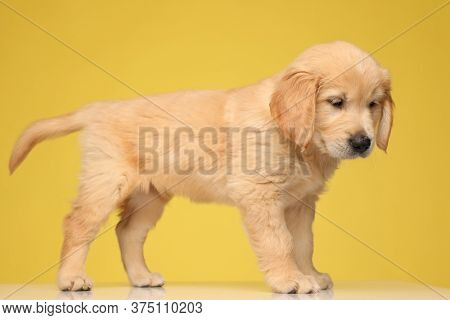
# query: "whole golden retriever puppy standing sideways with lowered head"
[267,148]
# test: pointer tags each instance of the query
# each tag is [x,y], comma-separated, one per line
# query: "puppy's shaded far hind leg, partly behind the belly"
[140,214]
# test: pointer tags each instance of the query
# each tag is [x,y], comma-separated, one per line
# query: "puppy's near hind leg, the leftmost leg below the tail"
[104,186]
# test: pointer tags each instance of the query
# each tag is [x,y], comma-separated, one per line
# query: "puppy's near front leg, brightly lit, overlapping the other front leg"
[273,246]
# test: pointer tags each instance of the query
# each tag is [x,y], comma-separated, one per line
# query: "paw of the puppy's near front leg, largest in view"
[299,284]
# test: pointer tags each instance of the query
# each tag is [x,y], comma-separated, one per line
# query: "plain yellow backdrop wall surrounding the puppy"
[397,203]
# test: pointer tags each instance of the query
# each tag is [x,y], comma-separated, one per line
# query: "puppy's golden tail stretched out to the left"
[44,129]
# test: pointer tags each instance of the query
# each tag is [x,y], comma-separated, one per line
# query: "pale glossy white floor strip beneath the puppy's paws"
[239,291]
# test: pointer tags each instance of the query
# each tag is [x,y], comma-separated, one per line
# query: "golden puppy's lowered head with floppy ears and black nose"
[336,97]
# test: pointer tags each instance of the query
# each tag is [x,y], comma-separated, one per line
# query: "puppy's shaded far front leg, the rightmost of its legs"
[299,219]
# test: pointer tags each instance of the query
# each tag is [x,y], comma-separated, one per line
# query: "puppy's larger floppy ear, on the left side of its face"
[293,106]
